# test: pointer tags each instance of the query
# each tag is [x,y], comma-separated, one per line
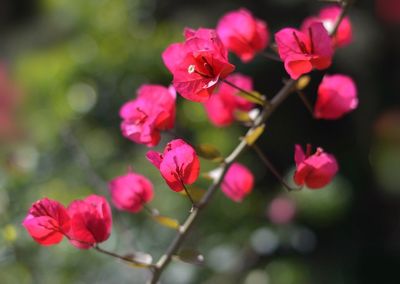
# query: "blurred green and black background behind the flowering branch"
[66,67]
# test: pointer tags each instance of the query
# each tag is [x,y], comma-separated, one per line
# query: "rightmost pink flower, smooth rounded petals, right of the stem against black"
[337,95]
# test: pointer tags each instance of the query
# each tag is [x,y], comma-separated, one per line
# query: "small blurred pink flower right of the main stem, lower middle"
[238,182]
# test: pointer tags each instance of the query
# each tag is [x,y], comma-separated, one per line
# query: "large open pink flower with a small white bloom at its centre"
[197,64]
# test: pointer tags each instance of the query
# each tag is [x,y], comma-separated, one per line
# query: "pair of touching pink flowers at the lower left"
[84,222]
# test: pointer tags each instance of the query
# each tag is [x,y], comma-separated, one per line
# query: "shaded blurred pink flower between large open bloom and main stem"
[222,105]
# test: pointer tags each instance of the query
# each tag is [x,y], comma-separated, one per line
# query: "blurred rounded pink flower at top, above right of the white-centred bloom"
[243,34]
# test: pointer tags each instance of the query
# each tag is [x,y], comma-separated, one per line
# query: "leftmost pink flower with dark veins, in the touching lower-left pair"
[47,222]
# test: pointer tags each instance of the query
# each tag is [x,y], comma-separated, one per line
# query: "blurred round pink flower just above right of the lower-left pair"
[131,191]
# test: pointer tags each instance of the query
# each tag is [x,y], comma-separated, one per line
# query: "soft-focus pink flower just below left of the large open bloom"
[151,112]
